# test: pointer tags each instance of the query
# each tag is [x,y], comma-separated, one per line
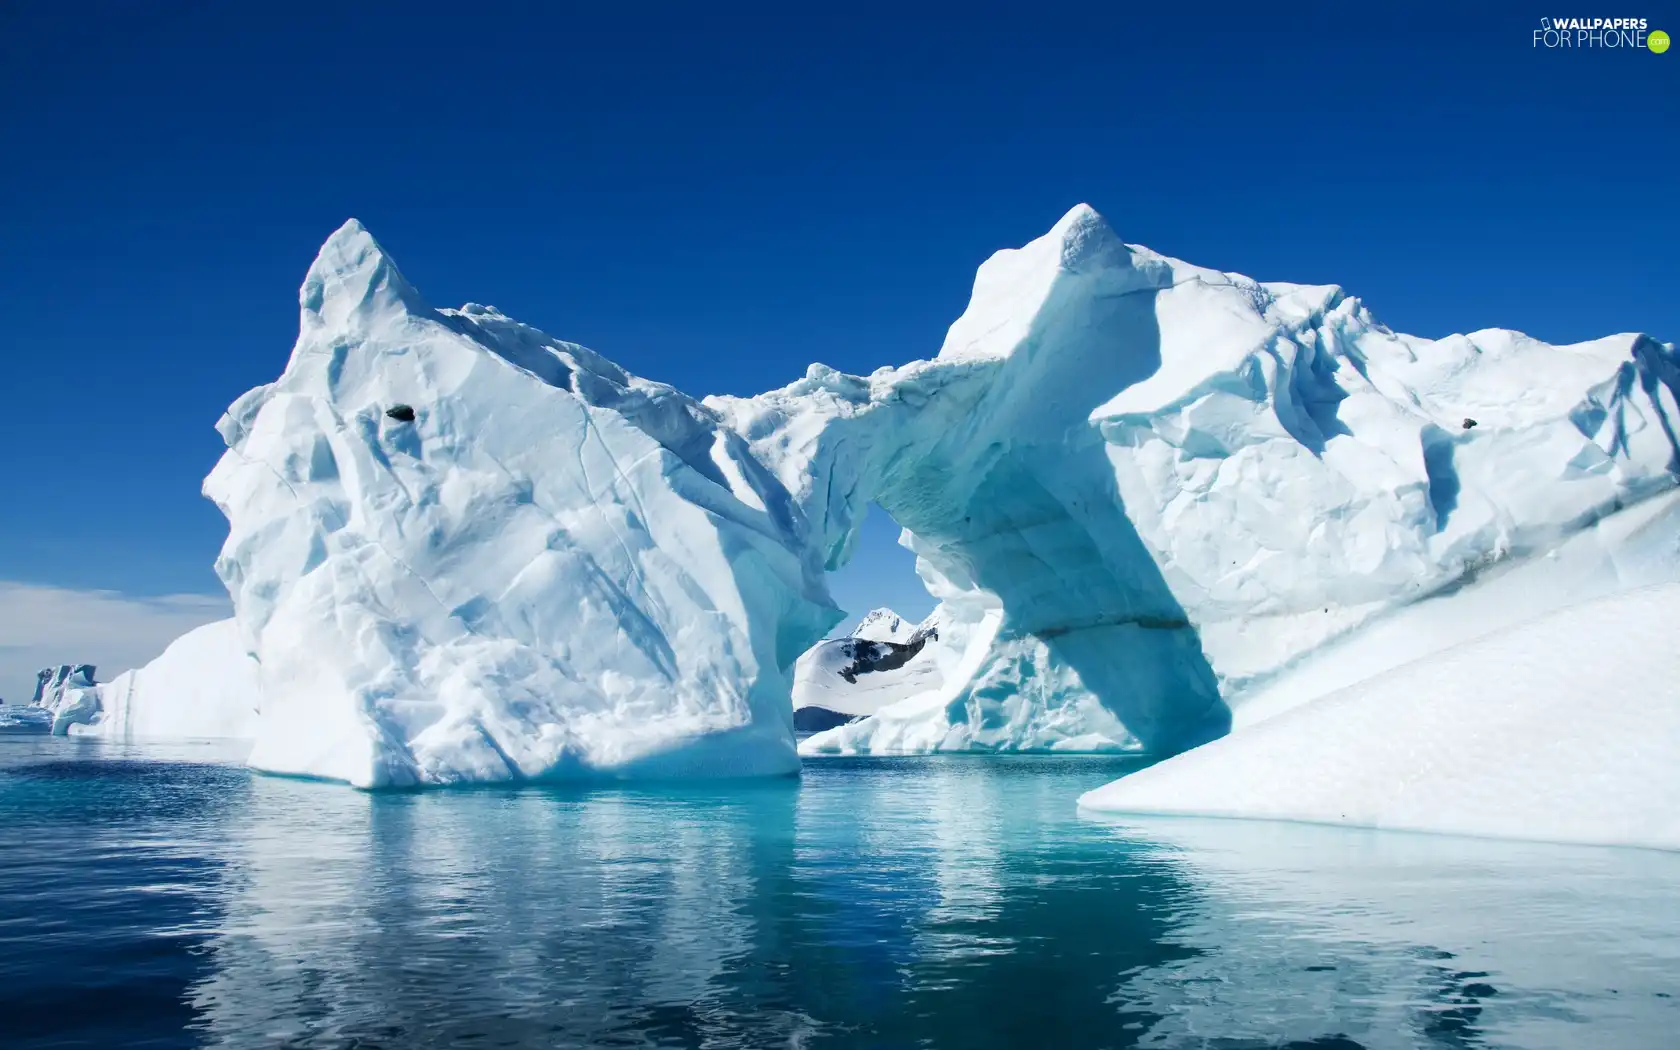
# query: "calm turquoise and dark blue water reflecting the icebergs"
[962,903]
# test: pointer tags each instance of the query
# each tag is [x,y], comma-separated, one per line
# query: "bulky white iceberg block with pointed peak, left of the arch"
[554,569]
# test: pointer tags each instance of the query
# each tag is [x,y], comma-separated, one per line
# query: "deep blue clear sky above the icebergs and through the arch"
[717,196]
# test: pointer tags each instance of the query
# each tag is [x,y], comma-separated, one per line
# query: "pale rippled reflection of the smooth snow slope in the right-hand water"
[1412,940]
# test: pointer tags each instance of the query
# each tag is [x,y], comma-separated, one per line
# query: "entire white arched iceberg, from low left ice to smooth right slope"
[1153,501]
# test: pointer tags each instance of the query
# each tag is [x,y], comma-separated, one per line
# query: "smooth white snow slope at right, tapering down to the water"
[1562,730]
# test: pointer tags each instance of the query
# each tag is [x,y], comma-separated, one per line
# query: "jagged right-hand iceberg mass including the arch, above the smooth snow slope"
[1143,490]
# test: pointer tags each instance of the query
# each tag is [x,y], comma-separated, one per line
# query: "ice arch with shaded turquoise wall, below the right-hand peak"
[1063,624]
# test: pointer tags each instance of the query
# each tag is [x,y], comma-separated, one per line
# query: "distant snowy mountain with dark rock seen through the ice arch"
[883,661]
